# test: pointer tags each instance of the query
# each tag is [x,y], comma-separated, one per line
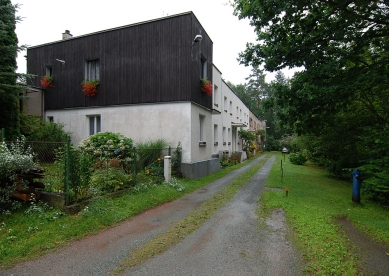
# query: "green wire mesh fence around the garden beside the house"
[81,174]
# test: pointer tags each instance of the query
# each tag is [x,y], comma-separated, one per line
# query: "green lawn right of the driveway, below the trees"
[313,203]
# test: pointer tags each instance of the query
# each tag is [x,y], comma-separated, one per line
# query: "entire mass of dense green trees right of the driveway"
[340,96]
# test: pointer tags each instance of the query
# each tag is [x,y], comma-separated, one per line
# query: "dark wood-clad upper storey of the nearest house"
[147,62]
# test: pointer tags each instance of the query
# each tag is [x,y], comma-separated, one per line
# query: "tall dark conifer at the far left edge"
[9,89]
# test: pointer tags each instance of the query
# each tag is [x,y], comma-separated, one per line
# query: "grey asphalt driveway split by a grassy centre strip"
[230,243]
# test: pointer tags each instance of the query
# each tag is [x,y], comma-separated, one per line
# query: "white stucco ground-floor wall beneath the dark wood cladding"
[174,122]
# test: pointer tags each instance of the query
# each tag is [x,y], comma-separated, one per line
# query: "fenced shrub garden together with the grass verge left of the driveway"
[107,175]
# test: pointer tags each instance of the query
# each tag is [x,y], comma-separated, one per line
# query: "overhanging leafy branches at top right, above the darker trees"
[311,33]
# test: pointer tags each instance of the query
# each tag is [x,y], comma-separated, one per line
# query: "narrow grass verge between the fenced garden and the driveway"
[23,237]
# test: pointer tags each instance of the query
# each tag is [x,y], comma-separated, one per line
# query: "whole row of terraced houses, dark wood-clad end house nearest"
[149,88]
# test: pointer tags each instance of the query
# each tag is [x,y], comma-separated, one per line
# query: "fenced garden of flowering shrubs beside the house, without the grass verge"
[102,164]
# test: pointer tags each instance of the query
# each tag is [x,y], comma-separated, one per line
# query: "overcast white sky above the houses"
[45,20]
